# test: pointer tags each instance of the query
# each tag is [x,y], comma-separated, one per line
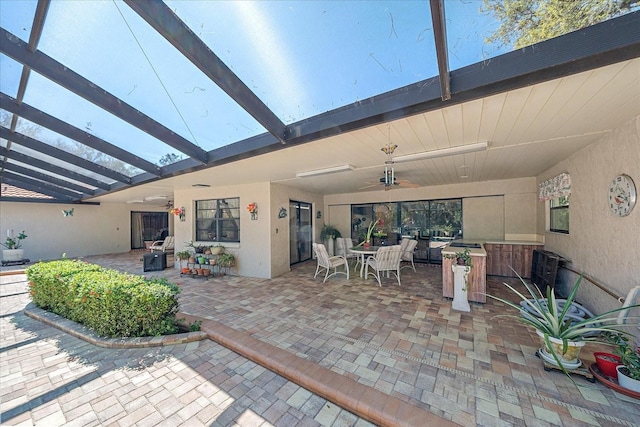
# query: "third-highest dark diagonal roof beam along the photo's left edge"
[63,155]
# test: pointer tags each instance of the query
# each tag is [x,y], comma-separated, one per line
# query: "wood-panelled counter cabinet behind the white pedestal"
[477,279]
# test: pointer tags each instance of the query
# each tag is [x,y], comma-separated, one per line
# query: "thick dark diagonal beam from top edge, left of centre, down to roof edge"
[170,26]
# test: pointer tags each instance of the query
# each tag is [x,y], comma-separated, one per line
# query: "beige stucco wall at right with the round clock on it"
[604,246]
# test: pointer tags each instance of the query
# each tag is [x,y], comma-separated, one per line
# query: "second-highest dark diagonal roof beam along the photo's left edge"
[43,119]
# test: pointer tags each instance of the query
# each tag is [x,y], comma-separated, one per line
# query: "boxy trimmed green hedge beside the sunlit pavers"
[111,303]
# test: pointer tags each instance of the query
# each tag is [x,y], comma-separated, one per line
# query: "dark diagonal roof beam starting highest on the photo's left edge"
[17,49]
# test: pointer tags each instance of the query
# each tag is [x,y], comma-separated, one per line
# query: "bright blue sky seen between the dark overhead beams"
[301,58]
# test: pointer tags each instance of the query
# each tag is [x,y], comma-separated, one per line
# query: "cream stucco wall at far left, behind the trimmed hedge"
[92,230]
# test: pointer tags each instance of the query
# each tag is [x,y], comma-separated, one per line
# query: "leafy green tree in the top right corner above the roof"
[525,22]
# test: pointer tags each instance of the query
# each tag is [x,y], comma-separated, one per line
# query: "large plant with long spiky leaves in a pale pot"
[562,334]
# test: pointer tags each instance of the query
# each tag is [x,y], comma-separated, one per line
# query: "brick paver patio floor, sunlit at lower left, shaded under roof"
[405,342]
